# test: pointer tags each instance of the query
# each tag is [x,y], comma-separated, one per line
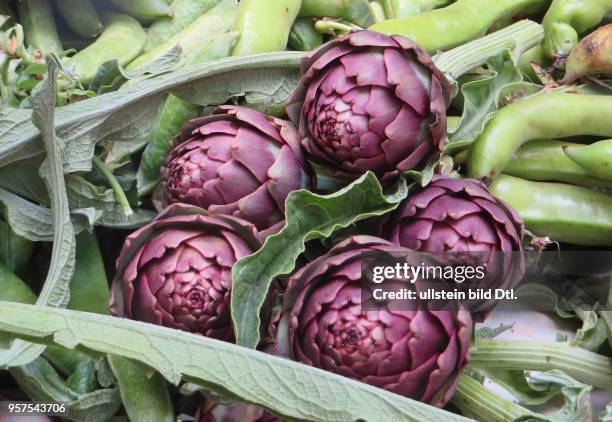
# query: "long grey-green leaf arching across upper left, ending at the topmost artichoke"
[129,113]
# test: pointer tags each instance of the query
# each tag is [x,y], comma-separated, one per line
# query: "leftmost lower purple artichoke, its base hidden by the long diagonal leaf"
[176,271]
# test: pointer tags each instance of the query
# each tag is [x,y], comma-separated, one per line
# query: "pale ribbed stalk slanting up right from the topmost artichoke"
[517,38]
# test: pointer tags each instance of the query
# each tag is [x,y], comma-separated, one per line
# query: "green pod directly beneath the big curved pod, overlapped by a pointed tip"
[545,161]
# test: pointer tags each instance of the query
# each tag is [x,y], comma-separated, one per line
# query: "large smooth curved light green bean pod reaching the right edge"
[544,116]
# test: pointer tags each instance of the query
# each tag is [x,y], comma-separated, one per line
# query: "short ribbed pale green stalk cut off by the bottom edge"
[478,402]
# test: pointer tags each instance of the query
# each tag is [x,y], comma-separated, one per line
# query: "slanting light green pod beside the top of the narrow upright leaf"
[121,40]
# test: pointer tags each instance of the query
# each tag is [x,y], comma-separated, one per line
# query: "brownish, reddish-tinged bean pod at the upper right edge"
[591,56]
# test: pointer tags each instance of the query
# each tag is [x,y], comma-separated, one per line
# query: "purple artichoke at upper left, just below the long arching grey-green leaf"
[237,162]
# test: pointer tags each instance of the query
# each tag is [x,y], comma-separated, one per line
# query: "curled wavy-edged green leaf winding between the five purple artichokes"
[309,216]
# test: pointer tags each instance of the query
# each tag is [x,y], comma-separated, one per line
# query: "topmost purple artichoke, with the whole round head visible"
[369,101]
